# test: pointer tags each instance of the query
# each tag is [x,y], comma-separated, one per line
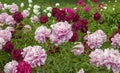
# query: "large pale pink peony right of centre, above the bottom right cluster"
[96,39]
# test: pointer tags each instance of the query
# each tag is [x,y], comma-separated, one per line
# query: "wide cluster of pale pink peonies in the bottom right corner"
[109,58]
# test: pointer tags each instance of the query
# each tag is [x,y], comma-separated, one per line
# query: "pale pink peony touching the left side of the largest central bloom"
[42,33]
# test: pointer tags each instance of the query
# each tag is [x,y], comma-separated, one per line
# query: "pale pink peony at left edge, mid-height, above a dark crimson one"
[6,35]
